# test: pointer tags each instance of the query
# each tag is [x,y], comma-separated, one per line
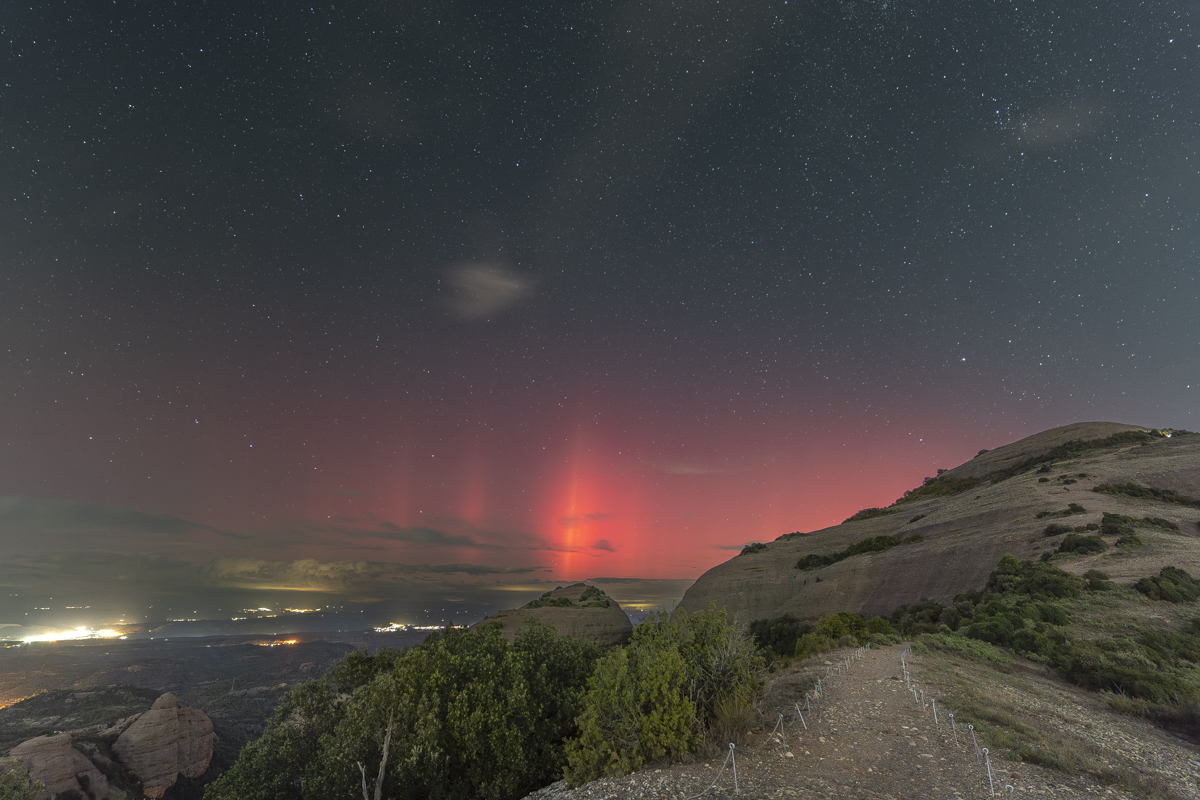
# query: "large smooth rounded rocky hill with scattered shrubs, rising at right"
[947,536]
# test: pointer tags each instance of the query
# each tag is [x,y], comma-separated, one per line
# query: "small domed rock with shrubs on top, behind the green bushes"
[579,611]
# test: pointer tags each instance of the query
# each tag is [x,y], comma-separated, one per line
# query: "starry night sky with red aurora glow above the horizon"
[403,304]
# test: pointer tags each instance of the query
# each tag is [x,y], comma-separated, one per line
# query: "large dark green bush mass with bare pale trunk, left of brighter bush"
[470,715]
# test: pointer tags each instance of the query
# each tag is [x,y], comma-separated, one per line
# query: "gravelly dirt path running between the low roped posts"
[867,738]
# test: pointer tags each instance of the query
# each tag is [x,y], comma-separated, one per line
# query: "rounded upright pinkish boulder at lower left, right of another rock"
[164,743]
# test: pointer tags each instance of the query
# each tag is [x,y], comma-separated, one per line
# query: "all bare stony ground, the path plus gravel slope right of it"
[868,738]
